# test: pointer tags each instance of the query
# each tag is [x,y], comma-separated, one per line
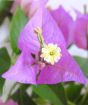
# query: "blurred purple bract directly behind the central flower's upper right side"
[64,21]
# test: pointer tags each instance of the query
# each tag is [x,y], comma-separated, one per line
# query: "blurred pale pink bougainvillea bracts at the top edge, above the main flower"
[28,6]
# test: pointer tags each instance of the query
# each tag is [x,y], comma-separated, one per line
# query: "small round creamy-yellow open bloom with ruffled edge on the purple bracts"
[51,53]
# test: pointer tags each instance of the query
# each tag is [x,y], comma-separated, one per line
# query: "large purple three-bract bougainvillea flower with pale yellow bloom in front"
[43,59]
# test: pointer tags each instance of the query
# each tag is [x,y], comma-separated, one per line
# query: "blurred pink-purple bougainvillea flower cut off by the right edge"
[79,31]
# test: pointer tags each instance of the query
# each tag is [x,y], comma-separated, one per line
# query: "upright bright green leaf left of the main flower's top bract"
[17,24]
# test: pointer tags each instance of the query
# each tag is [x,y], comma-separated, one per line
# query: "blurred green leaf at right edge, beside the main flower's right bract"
[83,62]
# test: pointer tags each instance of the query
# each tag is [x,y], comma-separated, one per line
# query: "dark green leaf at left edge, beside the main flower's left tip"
[4,65]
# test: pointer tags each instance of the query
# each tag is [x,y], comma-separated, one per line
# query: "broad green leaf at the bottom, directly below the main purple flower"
[50,93]
